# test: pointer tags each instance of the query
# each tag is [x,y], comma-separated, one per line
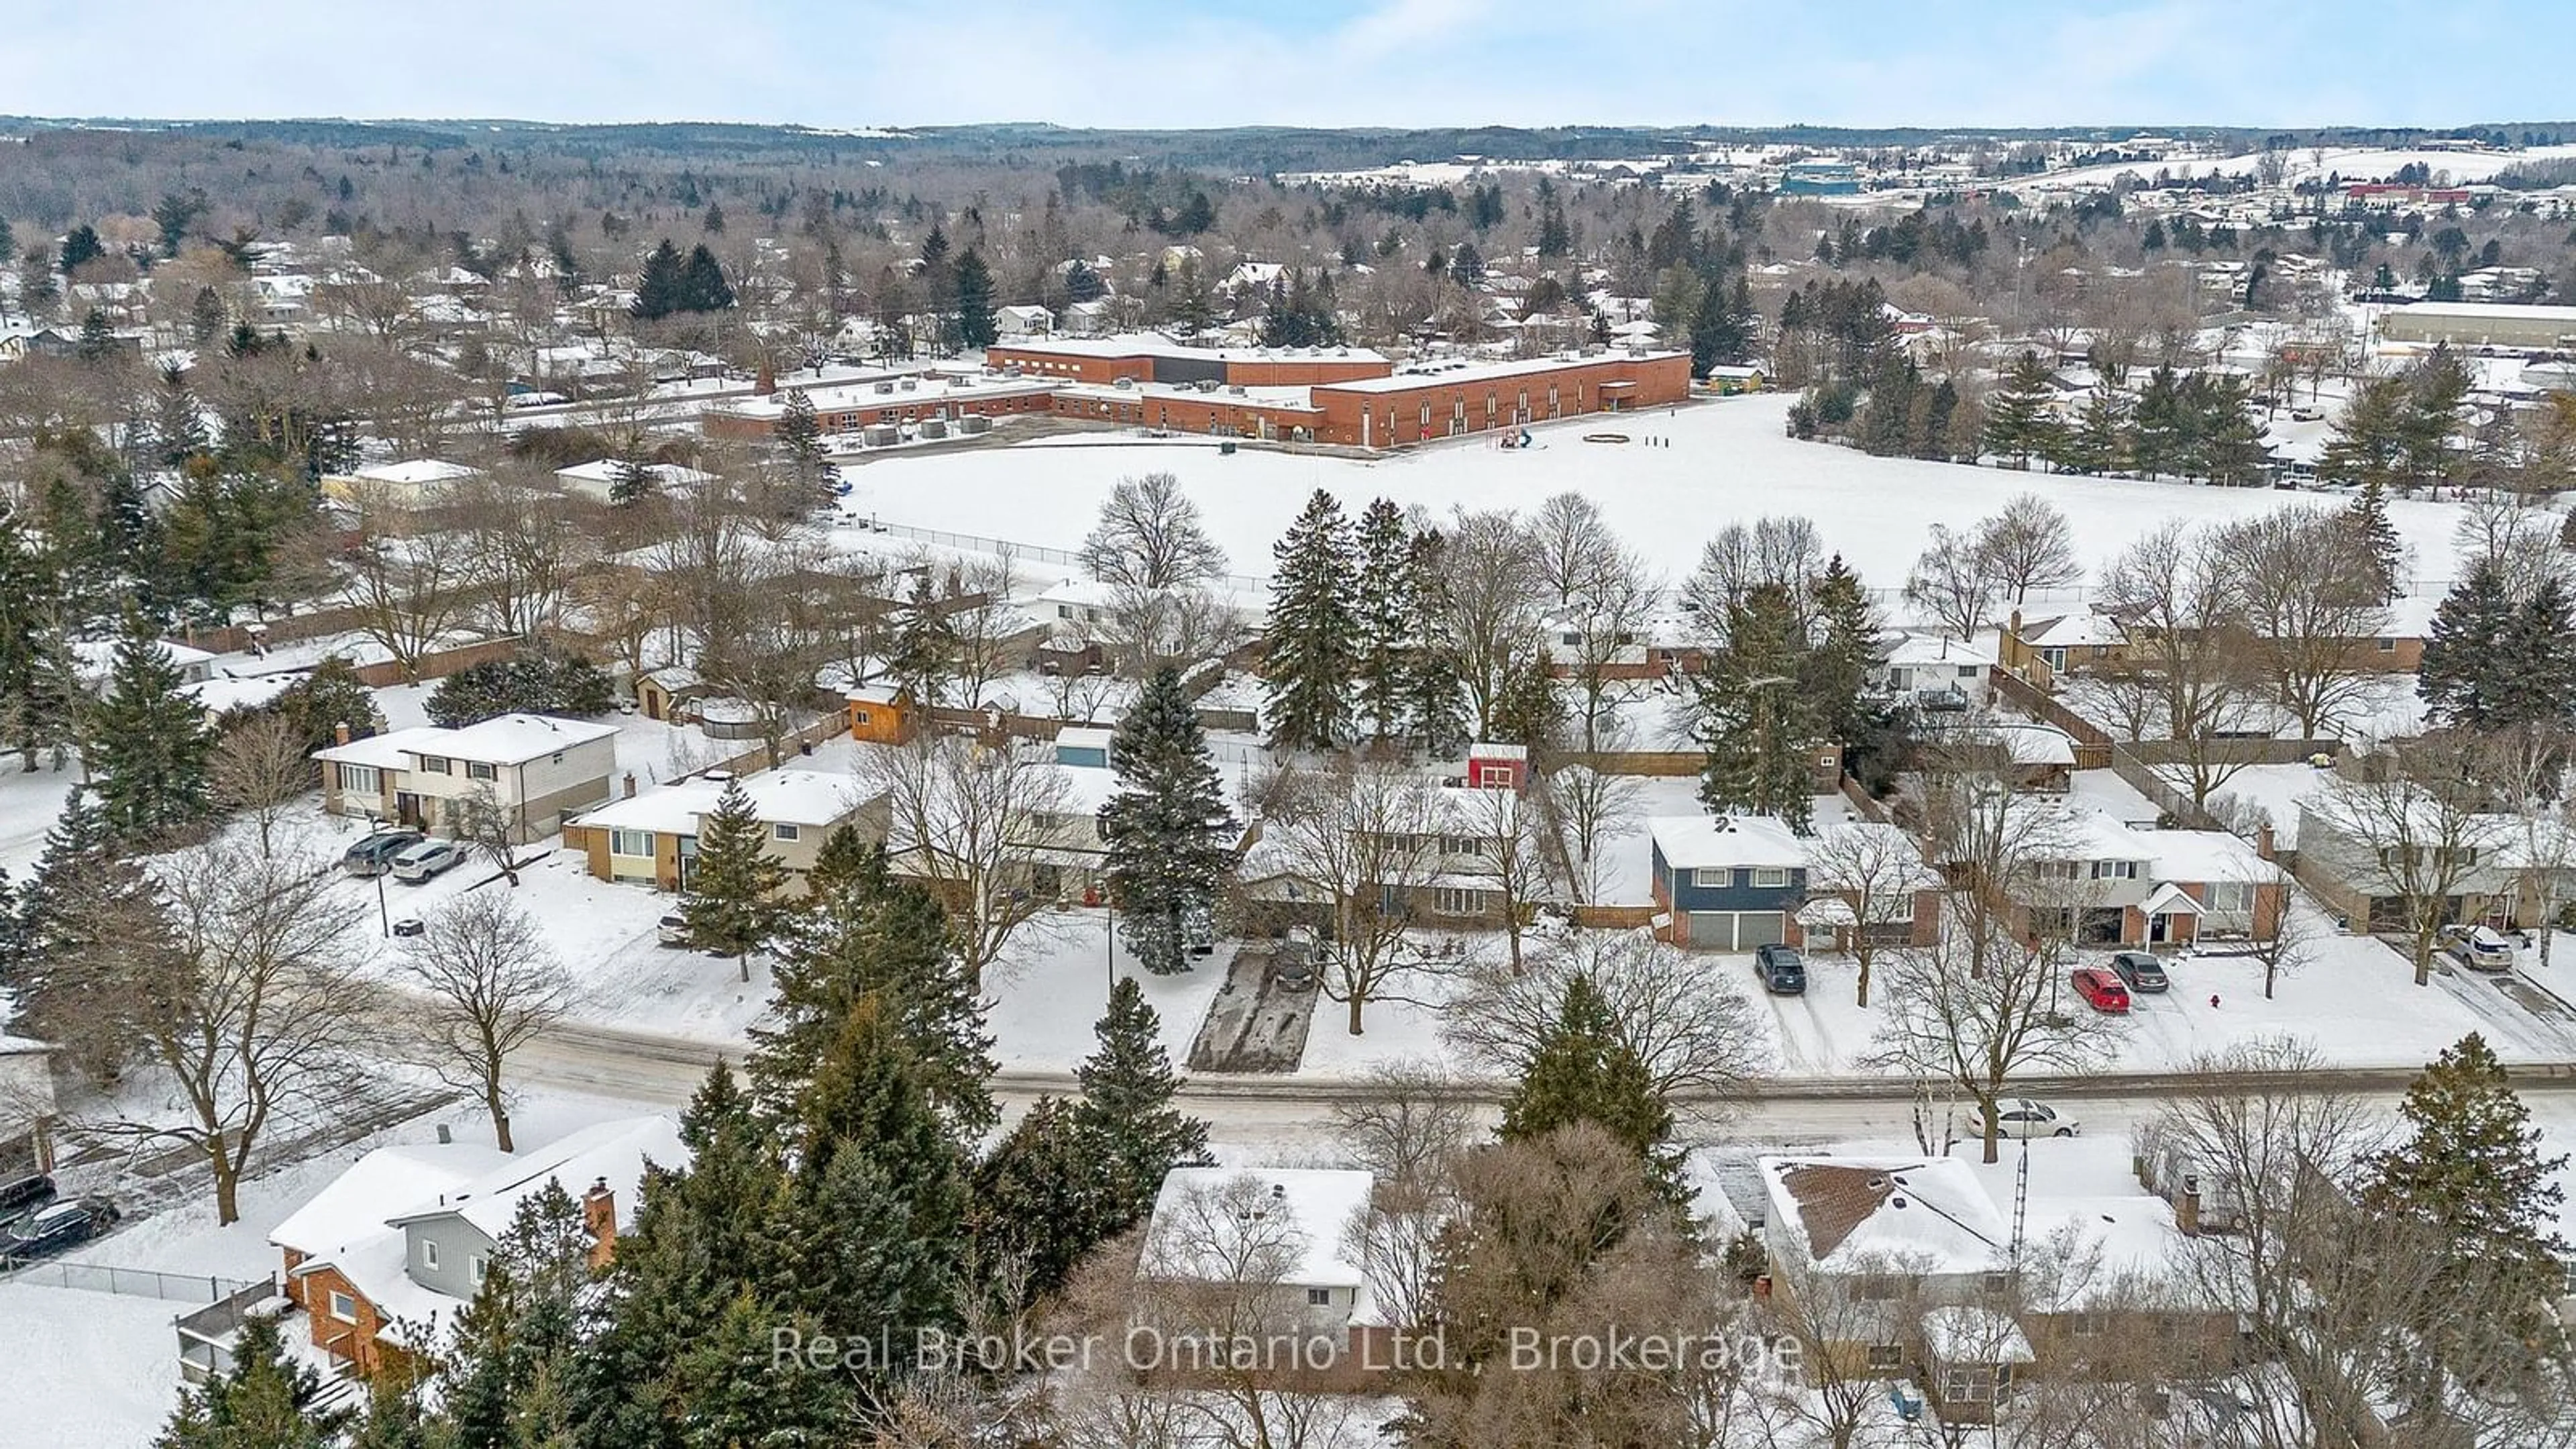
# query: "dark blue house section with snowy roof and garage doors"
[1730,883]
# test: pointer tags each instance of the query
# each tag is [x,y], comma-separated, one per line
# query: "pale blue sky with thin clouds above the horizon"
[1305,63]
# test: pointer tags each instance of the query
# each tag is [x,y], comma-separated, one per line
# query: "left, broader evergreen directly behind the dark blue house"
[1758,723]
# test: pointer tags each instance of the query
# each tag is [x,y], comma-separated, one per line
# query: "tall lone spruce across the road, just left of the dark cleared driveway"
[1168,824]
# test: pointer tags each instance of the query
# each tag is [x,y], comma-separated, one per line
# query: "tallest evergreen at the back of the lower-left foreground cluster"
[872,940]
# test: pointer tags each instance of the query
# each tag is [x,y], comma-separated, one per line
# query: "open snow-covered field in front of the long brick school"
[1727,463]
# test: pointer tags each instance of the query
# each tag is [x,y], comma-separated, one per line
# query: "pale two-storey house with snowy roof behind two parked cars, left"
[532,767]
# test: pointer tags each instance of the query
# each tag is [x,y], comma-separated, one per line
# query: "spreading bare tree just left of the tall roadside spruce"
[983,829]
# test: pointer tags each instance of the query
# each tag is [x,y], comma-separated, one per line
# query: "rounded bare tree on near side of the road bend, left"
[488,986]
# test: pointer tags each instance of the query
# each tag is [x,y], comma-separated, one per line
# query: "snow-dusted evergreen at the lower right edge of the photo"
[2472,1174]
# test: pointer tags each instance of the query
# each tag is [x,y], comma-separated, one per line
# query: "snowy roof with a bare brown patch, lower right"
[1923,1216]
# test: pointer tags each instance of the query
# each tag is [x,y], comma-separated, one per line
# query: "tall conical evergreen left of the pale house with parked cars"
[148,744]
